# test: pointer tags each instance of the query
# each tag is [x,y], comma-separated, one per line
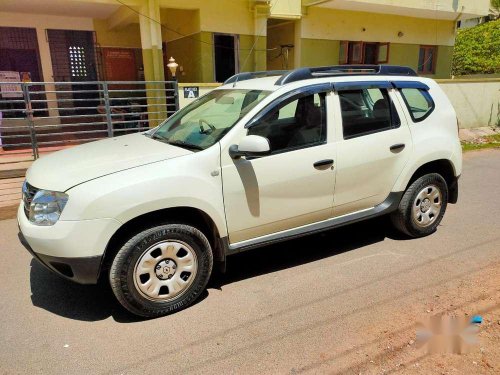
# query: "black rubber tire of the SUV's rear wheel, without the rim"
[403,218]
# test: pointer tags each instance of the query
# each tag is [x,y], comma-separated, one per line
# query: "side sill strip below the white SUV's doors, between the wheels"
[390,204]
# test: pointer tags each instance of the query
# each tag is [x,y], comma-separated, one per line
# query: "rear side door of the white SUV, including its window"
[374,147]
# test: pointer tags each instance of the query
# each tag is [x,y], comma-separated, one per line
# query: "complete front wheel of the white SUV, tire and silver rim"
[161,270]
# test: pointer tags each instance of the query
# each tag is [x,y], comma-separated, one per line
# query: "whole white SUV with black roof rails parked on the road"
[267,157]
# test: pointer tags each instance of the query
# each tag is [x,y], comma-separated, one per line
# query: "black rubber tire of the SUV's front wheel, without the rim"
[121,274]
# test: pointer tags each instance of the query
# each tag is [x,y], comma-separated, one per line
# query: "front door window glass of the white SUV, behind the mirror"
[296,123]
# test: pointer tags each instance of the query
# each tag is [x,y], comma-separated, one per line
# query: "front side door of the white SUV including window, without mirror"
[293,185]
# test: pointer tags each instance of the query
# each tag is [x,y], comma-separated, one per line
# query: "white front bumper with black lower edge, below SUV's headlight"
[72,249]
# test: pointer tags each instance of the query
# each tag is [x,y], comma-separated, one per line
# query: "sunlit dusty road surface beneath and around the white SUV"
[346,301]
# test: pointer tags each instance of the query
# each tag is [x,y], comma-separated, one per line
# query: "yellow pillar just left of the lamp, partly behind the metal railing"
[152,58]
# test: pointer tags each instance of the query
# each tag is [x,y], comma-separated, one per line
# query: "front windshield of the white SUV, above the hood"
[206,120]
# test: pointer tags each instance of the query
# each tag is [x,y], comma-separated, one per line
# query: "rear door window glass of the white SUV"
[366,111]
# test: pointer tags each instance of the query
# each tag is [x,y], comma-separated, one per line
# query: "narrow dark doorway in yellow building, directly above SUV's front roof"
[225,56]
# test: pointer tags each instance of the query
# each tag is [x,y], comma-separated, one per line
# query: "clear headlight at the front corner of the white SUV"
[46,207]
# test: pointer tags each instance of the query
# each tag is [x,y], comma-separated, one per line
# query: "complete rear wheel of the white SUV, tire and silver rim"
[422,207]
